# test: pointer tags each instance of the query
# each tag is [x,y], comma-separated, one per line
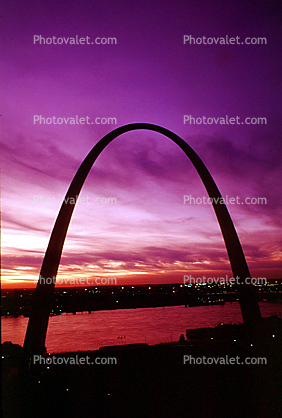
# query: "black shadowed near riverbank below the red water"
[147,381]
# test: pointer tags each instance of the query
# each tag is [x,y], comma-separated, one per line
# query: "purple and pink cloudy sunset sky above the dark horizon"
[149,235]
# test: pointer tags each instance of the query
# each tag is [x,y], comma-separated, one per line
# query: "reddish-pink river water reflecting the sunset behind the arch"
[85,331]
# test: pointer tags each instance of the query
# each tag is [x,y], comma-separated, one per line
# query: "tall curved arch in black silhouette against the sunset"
[42,301]
